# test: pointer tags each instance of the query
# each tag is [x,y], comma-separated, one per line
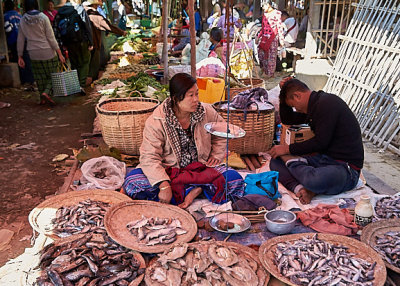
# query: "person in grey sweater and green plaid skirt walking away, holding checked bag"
[42,47]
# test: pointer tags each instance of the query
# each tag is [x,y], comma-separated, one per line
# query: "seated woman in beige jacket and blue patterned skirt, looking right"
[176,145]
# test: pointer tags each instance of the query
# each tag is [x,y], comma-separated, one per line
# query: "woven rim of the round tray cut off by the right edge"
[380,227]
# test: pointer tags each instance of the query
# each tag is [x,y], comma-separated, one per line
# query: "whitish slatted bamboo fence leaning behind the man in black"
[366,72]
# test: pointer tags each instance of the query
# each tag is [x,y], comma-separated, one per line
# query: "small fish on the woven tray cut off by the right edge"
[388,245]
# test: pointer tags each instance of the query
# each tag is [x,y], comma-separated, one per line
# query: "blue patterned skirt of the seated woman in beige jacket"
[138,187]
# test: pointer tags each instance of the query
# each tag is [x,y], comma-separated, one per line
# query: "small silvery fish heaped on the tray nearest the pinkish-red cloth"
[311,261]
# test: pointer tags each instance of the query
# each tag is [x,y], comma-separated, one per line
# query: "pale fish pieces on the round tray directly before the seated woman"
[152,231]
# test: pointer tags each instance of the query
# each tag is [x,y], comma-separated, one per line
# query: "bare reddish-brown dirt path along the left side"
[27,175]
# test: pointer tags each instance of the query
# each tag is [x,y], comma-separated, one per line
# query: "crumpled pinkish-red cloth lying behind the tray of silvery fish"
[329,219]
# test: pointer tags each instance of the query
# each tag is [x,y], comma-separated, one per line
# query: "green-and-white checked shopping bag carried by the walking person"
[65,82]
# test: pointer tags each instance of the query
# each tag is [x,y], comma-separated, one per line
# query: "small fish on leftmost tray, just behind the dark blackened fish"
[86,216]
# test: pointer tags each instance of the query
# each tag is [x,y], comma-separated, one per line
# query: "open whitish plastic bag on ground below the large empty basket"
[102,173]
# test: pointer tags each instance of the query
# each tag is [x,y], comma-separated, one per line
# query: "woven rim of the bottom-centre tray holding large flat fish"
[261,273]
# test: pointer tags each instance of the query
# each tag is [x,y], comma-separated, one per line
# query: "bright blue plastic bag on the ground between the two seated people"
[263,184]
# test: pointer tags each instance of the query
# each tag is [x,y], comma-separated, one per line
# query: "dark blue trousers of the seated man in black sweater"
[321,175]
